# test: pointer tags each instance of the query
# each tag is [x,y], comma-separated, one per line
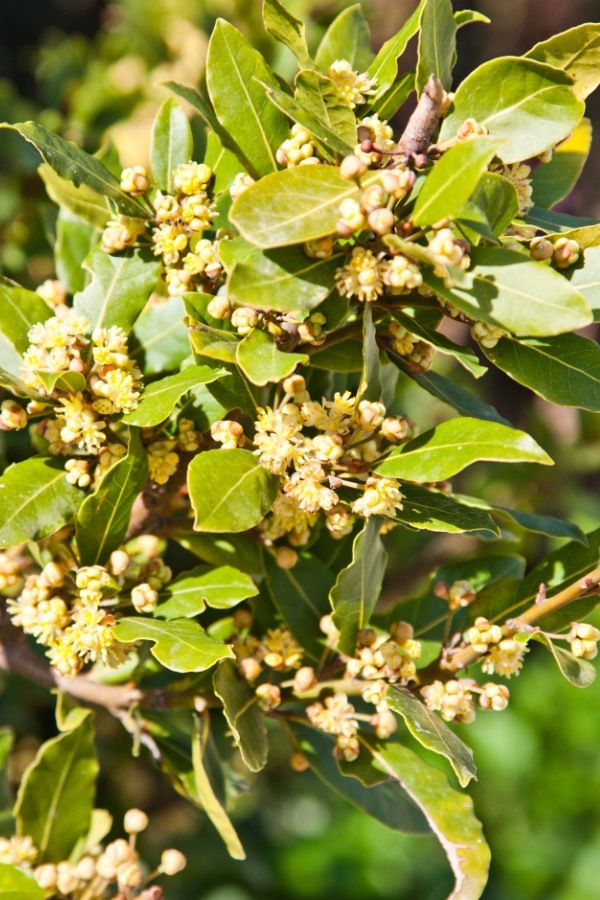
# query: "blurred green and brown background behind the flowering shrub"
[84,67]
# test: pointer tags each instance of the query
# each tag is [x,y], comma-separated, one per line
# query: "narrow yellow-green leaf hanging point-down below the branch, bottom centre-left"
[205,762]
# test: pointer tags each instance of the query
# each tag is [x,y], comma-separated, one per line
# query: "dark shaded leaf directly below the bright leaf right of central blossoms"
[435,511]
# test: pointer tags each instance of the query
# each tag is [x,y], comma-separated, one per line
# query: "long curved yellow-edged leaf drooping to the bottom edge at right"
[448,812]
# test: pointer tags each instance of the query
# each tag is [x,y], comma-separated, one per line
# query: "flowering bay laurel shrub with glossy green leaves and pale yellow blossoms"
[215,368]
